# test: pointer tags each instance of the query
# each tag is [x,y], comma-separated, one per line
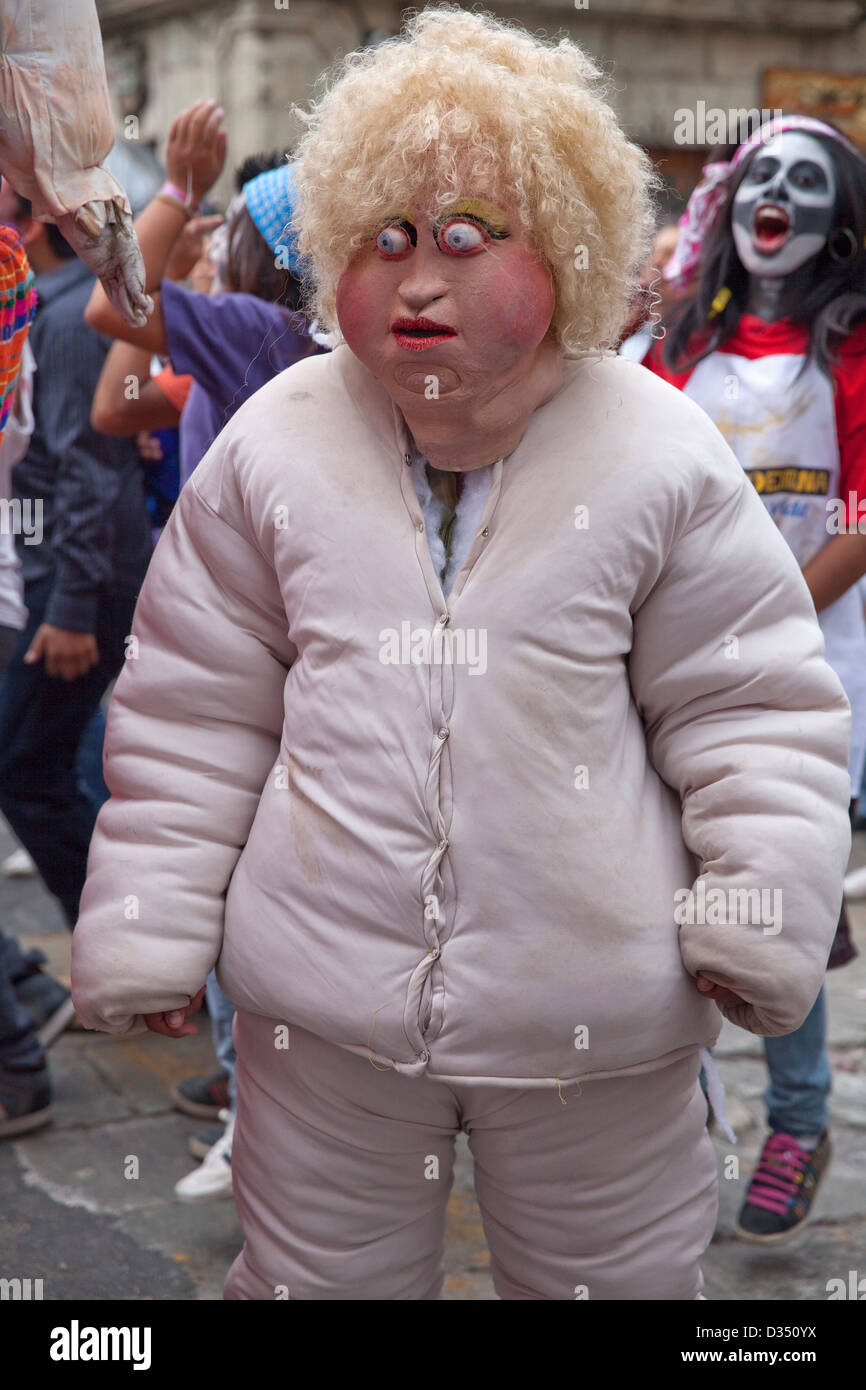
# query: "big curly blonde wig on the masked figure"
[468,105]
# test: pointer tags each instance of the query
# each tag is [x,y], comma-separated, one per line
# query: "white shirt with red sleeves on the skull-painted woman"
[803,443]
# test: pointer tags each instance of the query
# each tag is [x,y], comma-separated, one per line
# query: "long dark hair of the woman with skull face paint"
[833,305]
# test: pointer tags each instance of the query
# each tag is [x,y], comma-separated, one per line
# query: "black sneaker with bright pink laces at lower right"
[783,1191]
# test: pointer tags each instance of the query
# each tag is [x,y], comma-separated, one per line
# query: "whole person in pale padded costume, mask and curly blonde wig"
[433,721]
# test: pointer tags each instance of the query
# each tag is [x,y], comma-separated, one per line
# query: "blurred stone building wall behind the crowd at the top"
[665,56]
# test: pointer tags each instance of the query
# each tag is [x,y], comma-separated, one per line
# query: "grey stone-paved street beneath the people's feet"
[76,1223]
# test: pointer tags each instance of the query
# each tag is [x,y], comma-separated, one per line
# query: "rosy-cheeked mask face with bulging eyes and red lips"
[454,305]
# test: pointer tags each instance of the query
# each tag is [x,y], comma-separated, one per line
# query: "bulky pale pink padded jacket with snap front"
[459,835]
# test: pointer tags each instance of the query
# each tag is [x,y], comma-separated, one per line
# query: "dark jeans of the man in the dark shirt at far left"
[42,722]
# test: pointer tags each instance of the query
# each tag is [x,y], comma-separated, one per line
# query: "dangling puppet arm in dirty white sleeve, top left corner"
[56,127]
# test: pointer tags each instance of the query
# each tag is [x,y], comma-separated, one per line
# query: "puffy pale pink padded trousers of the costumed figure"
[343,1174]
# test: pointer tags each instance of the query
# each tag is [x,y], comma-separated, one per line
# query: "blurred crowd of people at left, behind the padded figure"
[106,423]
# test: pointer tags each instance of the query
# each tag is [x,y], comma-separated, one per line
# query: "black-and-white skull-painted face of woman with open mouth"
[783,211]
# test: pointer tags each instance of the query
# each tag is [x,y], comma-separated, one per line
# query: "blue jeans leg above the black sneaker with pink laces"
[800,1077]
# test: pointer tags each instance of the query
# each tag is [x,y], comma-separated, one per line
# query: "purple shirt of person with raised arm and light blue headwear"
[231,345]
